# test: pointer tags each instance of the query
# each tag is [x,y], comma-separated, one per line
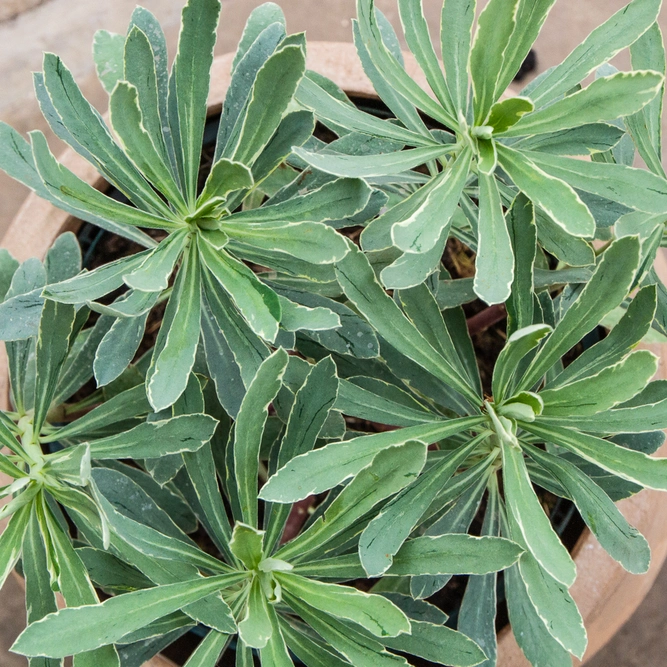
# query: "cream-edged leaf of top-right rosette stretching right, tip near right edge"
[607,98]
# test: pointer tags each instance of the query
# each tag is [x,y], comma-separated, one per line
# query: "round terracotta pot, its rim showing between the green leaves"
[606,594]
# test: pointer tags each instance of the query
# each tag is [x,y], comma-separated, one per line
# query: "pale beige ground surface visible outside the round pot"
[29,27]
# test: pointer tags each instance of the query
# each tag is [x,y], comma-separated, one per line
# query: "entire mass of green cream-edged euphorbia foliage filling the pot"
[300,462]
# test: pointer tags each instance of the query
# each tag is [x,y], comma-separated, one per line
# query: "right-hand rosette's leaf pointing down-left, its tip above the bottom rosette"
[386,533]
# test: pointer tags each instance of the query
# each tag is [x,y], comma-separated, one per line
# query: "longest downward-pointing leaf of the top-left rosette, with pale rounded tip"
[176,345]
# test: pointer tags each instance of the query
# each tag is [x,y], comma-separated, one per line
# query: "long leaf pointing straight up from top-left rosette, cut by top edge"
[191,74]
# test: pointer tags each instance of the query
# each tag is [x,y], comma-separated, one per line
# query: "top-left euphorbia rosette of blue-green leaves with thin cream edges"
[158,120]
